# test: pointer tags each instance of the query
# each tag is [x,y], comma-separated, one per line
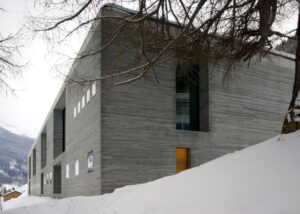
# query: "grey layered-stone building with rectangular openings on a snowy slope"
[100,137]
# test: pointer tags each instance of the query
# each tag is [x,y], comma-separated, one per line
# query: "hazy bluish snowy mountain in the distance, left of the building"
[13,157]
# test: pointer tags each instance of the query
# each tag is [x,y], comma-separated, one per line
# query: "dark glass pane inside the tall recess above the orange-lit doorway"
[187,98]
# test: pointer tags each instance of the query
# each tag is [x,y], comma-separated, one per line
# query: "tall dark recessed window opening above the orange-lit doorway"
[191,98]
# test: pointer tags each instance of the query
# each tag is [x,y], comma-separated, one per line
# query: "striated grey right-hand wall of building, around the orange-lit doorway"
[139,136]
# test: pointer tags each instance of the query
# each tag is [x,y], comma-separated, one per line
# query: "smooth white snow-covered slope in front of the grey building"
[261,179]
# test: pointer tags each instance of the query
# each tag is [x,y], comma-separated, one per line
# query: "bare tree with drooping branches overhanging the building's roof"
[230,31]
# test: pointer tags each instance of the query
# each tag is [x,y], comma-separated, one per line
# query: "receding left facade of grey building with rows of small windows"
[82,133]
